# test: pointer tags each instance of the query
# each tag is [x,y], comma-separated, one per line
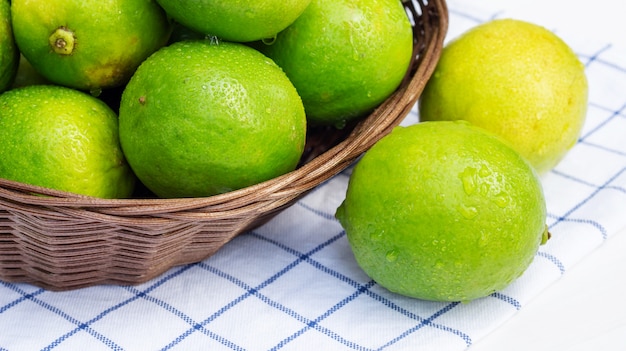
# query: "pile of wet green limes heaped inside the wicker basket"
[205,97]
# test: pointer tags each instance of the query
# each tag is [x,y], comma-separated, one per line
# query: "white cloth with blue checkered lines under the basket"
[293,284]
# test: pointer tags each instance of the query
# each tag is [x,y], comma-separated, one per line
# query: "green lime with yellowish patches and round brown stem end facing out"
[88,44]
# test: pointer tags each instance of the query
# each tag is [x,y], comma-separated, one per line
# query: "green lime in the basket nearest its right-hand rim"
[345,56]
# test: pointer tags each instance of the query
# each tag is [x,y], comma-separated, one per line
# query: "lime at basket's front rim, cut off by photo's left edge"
[63,139]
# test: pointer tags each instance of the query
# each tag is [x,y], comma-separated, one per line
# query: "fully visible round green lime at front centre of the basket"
[200,118]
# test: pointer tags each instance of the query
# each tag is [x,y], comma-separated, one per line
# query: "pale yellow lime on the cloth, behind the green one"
[517,80]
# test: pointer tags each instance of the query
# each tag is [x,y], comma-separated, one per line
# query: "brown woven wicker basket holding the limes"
[62,241]
